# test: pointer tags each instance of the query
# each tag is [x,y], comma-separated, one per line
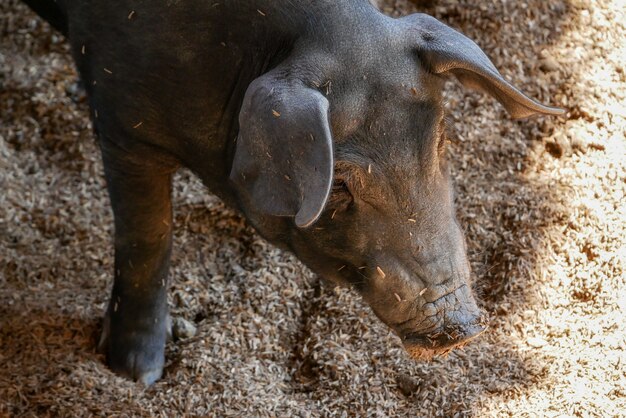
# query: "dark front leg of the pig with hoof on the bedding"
[137,322]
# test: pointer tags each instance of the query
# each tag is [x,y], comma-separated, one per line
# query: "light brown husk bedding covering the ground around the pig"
[542,202]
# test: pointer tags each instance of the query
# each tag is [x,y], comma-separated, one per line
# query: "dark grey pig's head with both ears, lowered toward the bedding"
[341,158]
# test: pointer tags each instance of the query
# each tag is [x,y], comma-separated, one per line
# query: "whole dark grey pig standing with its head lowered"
[320,120]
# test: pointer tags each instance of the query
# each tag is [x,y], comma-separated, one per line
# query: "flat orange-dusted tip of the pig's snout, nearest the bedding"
[421,345]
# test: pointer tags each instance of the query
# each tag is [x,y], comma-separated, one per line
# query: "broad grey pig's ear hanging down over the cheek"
[283,163]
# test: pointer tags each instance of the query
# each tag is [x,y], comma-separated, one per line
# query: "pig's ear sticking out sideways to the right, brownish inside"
[444,50]
